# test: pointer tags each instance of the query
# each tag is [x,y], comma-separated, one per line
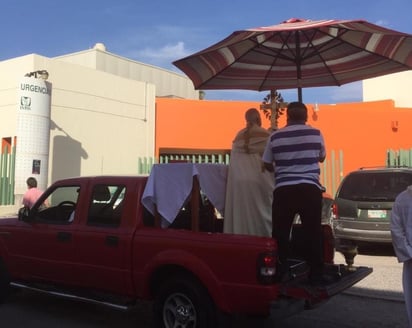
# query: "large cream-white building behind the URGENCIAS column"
[102,116]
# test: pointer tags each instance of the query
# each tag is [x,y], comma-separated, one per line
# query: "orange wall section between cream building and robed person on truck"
[198,123]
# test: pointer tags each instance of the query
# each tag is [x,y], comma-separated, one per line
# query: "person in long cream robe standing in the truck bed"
[249,189]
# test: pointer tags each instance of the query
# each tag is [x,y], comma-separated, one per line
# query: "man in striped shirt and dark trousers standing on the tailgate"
[294,153]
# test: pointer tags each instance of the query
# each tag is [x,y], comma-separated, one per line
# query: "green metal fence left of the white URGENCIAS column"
[7,175]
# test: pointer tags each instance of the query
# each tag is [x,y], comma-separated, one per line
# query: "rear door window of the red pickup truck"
[106,205]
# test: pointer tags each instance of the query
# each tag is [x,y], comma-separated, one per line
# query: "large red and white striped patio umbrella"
[298,54]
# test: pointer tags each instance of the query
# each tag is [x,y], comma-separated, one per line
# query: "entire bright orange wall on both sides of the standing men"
[363,131]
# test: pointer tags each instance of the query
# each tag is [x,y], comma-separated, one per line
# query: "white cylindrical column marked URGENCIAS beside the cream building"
[33,133]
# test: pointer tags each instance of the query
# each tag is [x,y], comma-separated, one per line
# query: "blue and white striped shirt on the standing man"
[295,151]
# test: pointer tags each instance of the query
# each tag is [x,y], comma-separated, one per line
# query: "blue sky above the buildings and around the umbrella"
[158,32]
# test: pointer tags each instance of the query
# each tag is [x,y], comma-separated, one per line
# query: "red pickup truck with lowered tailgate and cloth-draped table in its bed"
[115,240]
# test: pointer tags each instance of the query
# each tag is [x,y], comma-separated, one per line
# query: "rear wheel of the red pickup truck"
[183,302]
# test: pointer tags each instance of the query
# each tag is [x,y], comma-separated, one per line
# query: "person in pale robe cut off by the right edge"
[401,231]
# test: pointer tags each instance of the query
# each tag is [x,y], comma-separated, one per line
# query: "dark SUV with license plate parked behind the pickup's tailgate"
[363,204]
